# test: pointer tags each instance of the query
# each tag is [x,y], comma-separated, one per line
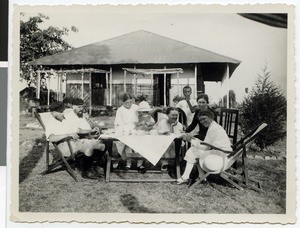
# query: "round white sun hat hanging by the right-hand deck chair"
[213,161]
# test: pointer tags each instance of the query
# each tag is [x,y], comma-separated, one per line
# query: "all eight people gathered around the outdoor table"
[201,126]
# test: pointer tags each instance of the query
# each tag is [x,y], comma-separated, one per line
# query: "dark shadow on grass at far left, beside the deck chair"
[29,162]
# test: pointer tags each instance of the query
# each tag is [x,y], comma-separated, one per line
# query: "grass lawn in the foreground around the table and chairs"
[58,192]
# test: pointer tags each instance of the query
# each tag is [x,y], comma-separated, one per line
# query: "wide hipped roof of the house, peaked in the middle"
[140,47]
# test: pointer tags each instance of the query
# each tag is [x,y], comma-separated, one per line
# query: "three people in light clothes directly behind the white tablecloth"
[130,117]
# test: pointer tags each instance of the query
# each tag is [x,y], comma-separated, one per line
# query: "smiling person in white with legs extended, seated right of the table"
[216,136]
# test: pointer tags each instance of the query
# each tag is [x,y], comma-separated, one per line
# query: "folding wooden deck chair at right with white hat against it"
[239,150]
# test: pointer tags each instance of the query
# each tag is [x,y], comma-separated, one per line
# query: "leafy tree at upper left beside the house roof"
[36,42]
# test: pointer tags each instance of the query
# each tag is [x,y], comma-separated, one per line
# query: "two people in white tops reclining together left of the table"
[71,123]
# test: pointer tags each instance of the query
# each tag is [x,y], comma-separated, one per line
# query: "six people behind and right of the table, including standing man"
[201,126]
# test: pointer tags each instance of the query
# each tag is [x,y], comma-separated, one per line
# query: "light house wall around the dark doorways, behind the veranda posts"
[74,82]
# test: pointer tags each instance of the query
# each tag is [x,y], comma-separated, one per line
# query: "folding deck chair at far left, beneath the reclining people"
[62,162]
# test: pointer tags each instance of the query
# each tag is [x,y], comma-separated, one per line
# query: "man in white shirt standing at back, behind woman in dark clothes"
[188,105]
